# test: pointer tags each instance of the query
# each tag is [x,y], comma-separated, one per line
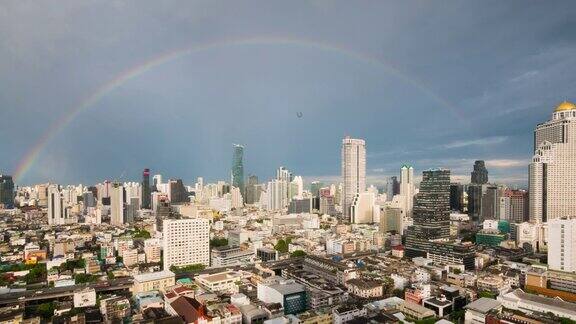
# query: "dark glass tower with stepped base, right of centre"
[431,213]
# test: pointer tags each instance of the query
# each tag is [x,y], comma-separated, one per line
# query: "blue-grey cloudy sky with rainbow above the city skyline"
[97,90]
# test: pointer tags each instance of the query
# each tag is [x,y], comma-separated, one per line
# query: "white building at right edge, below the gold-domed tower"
[562,244]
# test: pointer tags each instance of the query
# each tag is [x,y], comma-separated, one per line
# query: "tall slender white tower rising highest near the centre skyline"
[353,171]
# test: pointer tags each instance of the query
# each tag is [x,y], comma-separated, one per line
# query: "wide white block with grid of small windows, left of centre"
[185,242]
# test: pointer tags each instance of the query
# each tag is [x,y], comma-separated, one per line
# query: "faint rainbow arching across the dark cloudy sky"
[31,157]
